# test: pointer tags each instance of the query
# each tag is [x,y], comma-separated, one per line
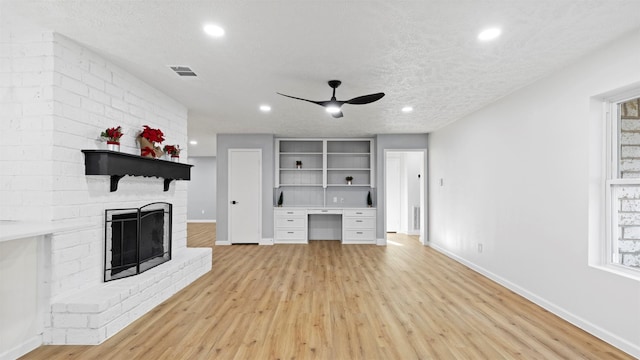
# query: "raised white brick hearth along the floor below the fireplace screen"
[95,314]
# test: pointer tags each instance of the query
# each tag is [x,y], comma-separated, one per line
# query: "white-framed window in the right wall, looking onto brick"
[623,185]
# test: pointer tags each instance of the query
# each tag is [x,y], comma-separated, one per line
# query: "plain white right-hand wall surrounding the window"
[517,180]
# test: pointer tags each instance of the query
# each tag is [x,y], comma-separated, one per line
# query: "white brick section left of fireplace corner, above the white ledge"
[26,103]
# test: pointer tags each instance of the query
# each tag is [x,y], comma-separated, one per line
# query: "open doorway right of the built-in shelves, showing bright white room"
[405,192]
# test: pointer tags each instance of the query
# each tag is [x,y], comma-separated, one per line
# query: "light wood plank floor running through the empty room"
[328,301]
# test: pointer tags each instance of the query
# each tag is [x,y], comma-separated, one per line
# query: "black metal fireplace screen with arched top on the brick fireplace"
[136,239]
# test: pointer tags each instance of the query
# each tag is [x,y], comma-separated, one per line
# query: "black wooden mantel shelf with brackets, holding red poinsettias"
[117,164]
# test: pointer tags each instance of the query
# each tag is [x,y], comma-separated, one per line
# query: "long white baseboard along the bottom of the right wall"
[604,335]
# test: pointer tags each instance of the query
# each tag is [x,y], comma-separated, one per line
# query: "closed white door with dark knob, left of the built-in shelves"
[245,196]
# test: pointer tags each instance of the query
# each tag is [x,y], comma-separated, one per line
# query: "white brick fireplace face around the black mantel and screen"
[91,94]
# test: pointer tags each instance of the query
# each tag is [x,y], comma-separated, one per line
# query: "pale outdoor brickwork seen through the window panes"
[628,196]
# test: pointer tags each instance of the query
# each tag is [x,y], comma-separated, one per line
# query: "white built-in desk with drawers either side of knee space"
[298,225]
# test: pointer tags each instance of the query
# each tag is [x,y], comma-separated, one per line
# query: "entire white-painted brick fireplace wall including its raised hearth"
[57,96]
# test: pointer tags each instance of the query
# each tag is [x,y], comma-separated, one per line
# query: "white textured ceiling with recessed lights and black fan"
[420,53]
